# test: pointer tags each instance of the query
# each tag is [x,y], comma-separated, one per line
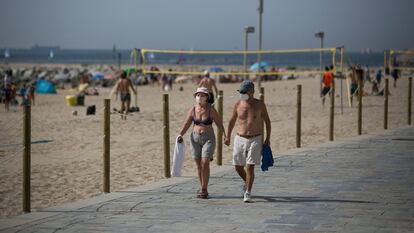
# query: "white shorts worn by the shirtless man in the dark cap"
[247,150]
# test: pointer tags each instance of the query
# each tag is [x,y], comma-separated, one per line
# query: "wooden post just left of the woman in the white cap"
[166,126]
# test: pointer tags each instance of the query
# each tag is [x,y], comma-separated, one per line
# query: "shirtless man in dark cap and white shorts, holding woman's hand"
[247,149]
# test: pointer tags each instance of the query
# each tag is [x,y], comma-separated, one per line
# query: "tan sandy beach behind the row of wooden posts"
[67,149]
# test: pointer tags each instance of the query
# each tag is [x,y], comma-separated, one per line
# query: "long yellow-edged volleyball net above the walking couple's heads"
[238,62]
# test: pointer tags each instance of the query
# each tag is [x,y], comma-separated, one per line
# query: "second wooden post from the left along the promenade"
[106,146]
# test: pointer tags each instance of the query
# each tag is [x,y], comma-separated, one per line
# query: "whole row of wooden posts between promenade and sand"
[166,127]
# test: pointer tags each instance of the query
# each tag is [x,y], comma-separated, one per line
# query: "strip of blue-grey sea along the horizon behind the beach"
[50,55]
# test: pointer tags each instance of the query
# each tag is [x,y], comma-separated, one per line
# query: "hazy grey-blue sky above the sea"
[206,24]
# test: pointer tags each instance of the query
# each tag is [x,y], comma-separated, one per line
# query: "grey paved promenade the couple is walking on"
[364,184]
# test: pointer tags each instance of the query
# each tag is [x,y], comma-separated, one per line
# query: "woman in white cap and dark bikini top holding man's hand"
[203,140]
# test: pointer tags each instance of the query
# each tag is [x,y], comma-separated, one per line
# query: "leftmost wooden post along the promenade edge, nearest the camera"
[26,158]
